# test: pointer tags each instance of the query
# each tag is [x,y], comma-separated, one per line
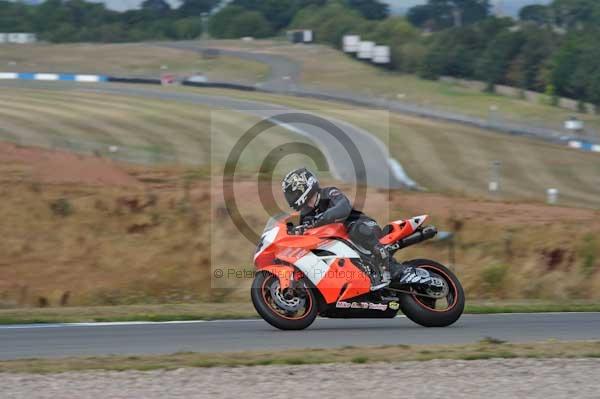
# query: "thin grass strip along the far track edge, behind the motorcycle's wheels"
[236,310]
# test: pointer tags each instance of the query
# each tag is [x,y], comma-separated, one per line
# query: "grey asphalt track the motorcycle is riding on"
[59,340]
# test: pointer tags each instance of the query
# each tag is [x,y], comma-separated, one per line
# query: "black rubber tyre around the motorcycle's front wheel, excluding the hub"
[267,308]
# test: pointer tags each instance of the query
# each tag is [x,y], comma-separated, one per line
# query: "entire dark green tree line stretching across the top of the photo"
[551,48]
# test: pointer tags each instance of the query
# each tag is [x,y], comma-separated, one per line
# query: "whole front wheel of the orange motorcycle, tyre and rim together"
[279,310]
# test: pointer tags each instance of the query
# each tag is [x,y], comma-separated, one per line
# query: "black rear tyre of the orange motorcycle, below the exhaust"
[420,310]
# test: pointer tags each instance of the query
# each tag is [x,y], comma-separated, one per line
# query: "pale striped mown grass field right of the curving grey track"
[451,158]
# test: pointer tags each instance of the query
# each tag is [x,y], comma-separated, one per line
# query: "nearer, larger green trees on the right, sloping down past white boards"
[551,49]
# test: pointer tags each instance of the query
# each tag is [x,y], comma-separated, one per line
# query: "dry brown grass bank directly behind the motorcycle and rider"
[155,241]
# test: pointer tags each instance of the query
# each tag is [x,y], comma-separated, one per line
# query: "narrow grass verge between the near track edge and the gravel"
[485,349]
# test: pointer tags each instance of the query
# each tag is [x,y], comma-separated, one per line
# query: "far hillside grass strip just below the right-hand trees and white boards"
[325,67]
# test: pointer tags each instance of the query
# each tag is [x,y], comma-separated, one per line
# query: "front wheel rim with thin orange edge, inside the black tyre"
[293,306]
